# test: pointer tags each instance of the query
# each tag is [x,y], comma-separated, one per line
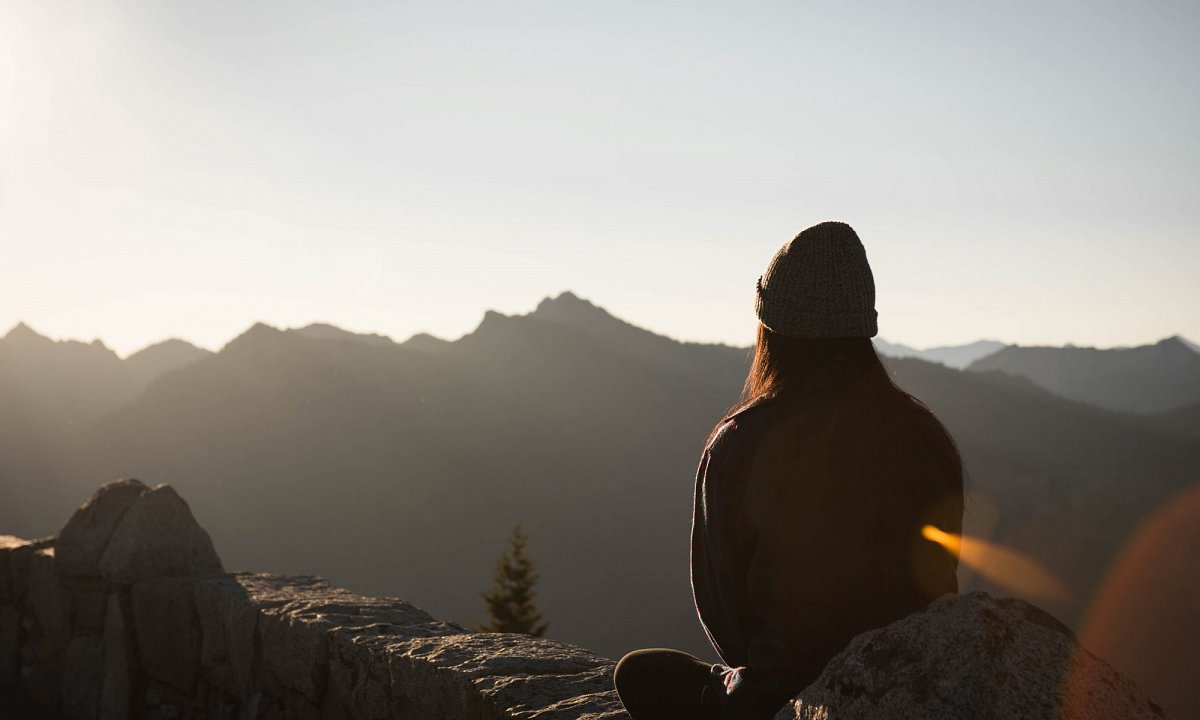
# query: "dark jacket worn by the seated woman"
[788,567]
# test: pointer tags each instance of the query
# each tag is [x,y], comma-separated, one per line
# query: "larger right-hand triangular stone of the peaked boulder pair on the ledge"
[159,538]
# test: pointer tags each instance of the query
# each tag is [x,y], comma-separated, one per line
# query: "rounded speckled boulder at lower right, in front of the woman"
[970,657]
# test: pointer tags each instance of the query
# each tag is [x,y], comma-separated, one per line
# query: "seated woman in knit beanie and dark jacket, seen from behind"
[811,500]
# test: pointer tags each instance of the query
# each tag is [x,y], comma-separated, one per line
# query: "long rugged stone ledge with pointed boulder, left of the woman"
[129,614]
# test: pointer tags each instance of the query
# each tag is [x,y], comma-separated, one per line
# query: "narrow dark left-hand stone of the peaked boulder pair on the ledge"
[87,535]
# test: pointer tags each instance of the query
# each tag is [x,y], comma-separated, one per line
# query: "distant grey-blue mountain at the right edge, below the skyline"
[1143,380]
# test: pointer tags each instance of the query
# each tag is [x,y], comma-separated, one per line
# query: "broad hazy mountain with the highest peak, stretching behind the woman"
[393,470]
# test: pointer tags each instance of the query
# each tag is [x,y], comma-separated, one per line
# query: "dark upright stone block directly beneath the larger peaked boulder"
[167,632]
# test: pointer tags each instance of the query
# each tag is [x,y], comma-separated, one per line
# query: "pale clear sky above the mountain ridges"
[1025,171]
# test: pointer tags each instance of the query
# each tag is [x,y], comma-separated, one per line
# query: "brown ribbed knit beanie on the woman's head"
[819,285]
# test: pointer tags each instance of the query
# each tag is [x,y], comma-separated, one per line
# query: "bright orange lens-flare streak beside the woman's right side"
[1004,567]
